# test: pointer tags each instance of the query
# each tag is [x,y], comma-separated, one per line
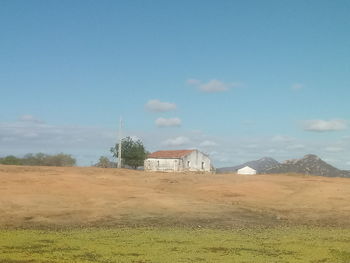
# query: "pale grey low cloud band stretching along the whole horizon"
[88,143]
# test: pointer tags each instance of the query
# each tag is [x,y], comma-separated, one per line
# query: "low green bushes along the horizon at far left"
[40,159]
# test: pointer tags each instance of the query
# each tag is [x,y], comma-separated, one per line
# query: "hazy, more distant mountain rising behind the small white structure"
[260,165]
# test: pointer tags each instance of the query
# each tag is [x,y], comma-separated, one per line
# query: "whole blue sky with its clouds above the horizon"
[237,79]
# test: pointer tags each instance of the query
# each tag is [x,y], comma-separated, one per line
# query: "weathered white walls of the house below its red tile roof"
[195,161]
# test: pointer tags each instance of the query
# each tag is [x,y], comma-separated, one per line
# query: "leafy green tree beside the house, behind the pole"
[133,152]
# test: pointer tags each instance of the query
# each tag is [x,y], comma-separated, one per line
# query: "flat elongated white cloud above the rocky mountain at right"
[324,126]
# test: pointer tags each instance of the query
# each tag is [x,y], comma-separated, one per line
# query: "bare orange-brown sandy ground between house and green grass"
[65,197]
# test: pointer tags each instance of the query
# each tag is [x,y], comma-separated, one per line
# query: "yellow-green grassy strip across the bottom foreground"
[141,245]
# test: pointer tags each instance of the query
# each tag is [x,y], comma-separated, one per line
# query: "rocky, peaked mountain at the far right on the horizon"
[309,164]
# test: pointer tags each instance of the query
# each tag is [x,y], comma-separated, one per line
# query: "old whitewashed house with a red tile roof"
[178,161]
